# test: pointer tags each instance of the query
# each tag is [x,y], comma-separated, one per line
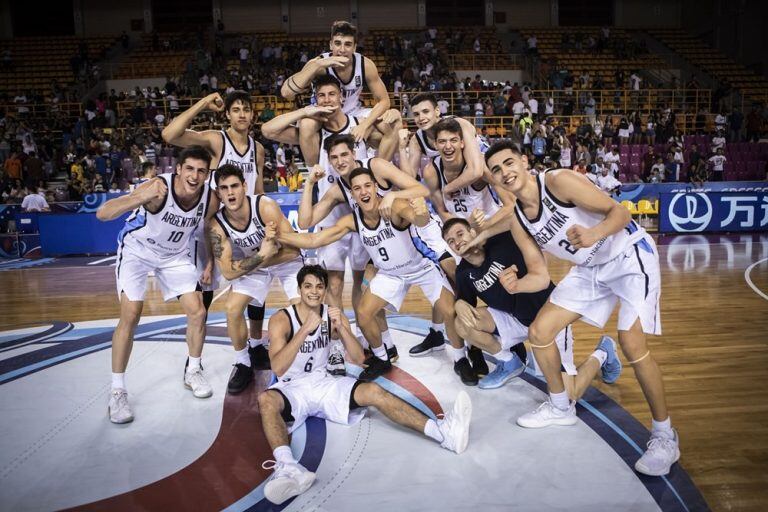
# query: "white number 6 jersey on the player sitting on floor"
[313,353]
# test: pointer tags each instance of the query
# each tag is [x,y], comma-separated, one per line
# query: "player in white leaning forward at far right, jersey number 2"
[614,261]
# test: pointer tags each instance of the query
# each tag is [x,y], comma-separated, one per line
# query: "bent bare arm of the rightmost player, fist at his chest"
[575,188]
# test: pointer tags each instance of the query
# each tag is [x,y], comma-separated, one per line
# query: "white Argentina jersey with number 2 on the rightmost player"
[555,218]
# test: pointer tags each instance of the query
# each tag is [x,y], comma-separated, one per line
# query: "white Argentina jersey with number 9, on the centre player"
[391,249]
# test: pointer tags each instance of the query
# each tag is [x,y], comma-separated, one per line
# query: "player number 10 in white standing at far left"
[156,238]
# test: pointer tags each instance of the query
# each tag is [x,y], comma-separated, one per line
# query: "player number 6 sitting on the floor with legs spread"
[301,336]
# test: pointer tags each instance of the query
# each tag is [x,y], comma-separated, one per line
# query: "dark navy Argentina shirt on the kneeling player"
[482,282]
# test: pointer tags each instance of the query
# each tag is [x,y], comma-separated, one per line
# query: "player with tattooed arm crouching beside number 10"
[246,255]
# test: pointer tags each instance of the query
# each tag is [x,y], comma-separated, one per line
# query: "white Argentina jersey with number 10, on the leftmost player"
[168,232]
